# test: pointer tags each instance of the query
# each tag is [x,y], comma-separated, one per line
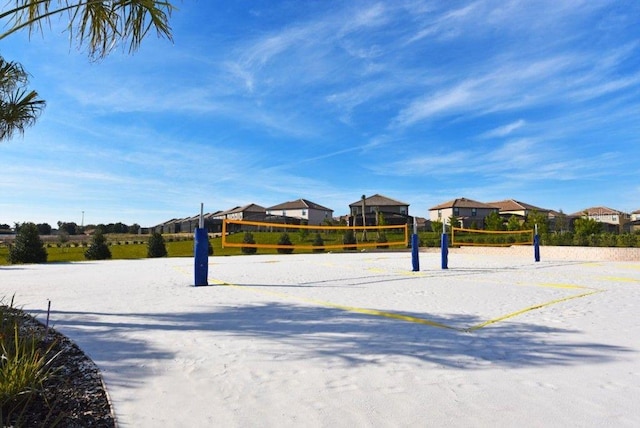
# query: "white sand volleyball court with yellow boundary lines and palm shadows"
[351,340]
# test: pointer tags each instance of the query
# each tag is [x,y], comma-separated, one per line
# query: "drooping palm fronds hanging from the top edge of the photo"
[99,24]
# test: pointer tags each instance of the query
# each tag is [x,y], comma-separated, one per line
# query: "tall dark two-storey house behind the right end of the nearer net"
[394,212]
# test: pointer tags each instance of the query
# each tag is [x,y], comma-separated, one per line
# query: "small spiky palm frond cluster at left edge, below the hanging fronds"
[19,108]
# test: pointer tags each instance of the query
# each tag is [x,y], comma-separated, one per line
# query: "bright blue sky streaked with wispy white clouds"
[270,101]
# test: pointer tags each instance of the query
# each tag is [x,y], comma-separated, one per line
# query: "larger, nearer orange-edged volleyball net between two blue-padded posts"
[287,238]
